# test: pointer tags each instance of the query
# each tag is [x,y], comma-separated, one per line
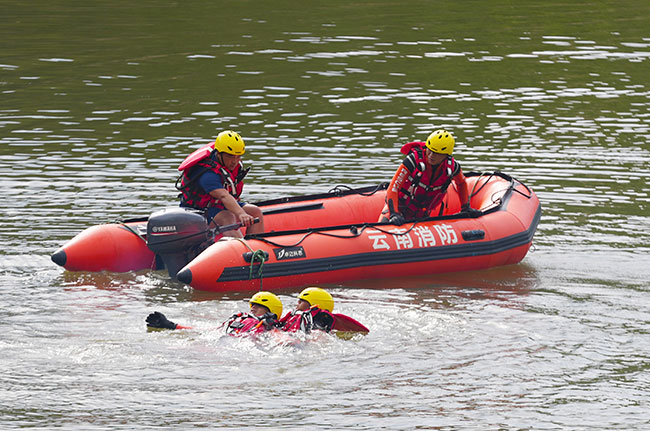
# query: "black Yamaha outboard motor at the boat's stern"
[178,235]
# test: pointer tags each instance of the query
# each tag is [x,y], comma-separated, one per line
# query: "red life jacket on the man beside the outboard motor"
[193,195]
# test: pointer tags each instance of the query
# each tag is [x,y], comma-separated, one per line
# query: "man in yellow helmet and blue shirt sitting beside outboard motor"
[212,180]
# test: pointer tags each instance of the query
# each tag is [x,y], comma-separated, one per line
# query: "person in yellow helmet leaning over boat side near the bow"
[421,181]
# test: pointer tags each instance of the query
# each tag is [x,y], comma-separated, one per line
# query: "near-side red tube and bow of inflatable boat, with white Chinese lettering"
[357,249]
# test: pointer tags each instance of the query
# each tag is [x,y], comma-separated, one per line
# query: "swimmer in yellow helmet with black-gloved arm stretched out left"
[265,307]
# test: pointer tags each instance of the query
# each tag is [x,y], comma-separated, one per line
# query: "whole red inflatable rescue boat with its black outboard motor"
[319,239]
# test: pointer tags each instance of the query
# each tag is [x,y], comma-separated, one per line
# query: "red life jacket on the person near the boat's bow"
[421,193]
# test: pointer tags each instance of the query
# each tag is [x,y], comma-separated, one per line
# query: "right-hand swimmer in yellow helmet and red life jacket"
[313,311]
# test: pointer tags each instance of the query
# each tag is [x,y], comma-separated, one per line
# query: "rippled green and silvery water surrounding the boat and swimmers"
[100,103]
